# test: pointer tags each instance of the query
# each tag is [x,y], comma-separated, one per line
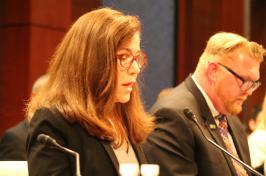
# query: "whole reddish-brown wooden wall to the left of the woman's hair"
[30,30]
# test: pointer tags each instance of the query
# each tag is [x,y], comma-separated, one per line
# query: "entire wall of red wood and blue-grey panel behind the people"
[174,35]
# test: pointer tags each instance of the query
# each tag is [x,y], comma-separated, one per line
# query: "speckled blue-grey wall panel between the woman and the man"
[158,41]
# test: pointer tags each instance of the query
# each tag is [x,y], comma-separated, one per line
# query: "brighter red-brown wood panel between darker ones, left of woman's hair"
[49,21]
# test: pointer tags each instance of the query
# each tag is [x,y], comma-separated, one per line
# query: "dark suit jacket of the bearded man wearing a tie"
[178,145]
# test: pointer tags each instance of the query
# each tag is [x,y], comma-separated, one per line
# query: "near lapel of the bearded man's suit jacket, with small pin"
[206,118]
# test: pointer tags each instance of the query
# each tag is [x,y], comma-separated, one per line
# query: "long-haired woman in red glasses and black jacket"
[91,103]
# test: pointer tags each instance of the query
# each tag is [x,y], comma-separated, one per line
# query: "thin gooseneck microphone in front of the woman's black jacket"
[51,142]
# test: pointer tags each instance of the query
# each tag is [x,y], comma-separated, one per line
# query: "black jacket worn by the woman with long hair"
[96,156]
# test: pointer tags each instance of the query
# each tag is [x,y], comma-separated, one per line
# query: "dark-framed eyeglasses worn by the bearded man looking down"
[246,84]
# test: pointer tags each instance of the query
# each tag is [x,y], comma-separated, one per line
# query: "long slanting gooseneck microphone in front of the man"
[190,115]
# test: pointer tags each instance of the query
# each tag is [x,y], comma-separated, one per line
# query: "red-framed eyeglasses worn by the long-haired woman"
[127,58]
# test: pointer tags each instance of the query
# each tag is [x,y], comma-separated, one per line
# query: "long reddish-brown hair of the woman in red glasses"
[83,75]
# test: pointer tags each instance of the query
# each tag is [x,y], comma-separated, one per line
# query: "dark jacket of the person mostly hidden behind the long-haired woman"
[13,143]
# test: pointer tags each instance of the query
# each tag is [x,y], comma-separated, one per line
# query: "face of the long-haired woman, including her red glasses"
[129,63]
